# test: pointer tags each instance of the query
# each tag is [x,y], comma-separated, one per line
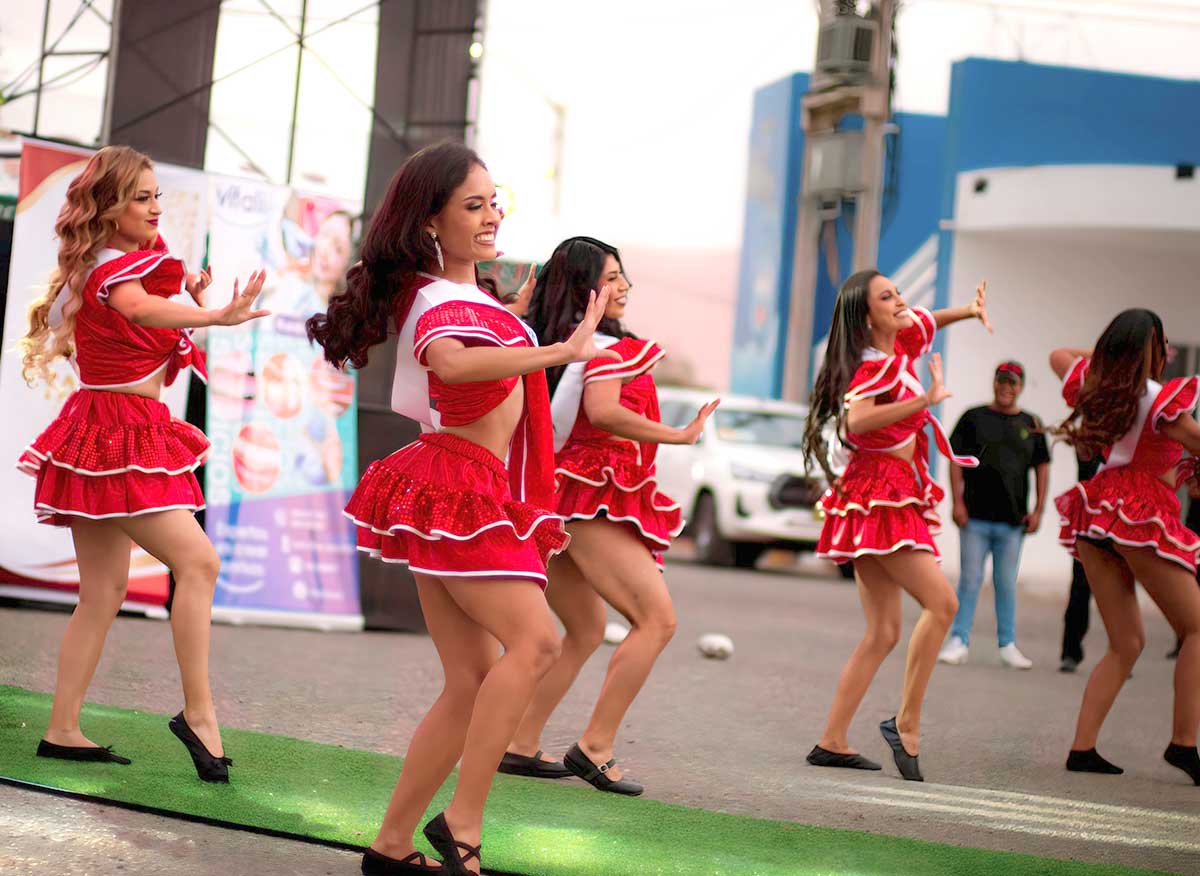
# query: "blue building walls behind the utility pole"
[1001,115]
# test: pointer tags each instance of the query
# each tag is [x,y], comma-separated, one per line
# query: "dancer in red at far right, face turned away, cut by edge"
[1124,524]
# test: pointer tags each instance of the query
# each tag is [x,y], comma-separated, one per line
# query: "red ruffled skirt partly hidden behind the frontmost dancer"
[607,479]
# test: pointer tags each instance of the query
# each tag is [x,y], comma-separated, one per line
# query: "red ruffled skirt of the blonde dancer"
[115,455]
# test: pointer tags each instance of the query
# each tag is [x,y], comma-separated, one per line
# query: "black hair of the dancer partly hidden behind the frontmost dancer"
[561,295]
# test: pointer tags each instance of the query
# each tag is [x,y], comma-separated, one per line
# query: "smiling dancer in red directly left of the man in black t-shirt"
[880,515]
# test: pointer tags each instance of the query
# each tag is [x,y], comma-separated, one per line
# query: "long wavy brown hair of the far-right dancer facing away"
[1107,406]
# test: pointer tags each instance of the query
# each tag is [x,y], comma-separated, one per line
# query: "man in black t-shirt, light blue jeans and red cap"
[992,508]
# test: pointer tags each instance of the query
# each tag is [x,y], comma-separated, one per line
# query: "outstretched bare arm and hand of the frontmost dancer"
[454,362]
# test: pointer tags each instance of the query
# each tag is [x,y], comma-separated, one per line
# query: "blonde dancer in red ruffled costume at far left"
[116,466]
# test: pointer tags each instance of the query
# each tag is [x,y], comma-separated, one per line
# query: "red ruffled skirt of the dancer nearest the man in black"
[883,508]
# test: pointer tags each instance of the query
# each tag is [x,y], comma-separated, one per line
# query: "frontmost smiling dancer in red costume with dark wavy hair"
[475,530]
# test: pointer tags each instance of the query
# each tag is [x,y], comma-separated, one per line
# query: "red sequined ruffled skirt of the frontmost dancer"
[443,506]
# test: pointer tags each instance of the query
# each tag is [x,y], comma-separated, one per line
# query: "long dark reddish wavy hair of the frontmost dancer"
[379,287]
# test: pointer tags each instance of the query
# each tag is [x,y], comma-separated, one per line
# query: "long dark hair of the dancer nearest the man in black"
[849,338]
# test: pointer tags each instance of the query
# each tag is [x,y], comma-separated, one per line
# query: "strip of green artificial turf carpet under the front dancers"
[533,827]
